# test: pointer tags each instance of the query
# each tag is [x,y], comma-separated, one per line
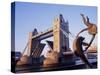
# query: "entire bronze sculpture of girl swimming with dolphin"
[78,42]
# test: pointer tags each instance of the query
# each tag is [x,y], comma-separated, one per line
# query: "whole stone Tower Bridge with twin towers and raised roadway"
[60,43]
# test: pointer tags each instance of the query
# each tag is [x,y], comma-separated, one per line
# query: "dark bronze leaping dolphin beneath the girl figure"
[78,50]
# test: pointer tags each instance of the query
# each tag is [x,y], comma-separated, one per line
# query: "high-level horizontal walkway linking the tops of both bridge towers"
[44,34]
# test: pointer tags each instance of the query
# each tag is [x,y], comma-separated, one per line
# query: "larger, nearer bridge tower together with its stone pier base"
[60,43]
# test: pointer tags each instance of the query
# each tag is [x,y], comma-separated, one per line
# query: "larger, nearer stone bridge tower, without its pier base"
[61,43]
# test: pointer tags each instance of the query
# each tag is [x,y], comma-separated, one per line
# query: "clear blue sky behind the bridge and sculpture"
[41,16]
